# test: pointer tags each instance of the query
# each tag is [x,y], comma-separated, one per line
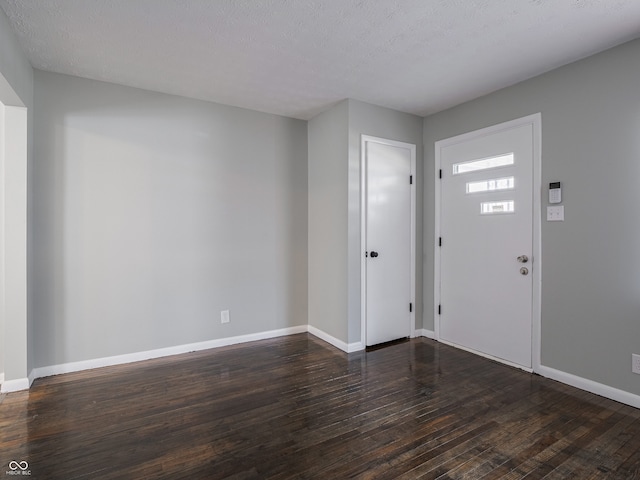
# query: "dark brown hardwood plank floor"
[295,407]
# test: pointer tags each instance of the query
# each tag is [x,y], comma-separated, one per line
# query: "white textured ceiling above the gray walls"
[298,57]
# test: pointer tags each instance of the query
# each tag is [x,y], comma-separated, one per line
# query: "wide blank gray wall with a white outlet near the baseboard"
[153,213]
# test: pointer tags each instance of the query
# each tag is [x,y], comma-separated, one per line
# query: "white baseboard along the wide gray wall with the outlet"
[161,352]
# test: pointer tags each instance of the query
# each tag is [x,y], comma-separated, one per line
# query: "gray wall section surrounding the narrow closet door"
[382,122]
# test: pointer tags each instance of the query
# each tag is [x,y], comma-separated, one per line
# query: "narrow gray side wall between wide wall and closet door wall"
[328,158]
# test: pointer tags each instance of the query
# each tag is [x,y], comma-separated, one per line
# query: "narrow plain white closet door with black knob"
[388,201]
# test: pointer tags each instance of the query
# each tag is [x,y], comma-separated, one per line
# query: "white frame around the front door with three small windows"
[536,272]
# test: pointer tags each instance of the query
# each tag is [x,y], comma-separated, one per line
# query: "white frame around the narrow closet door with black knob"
[363,231]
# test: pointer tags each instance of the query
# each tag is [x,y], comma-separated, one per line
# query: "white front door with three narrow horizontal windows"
[486,236]
